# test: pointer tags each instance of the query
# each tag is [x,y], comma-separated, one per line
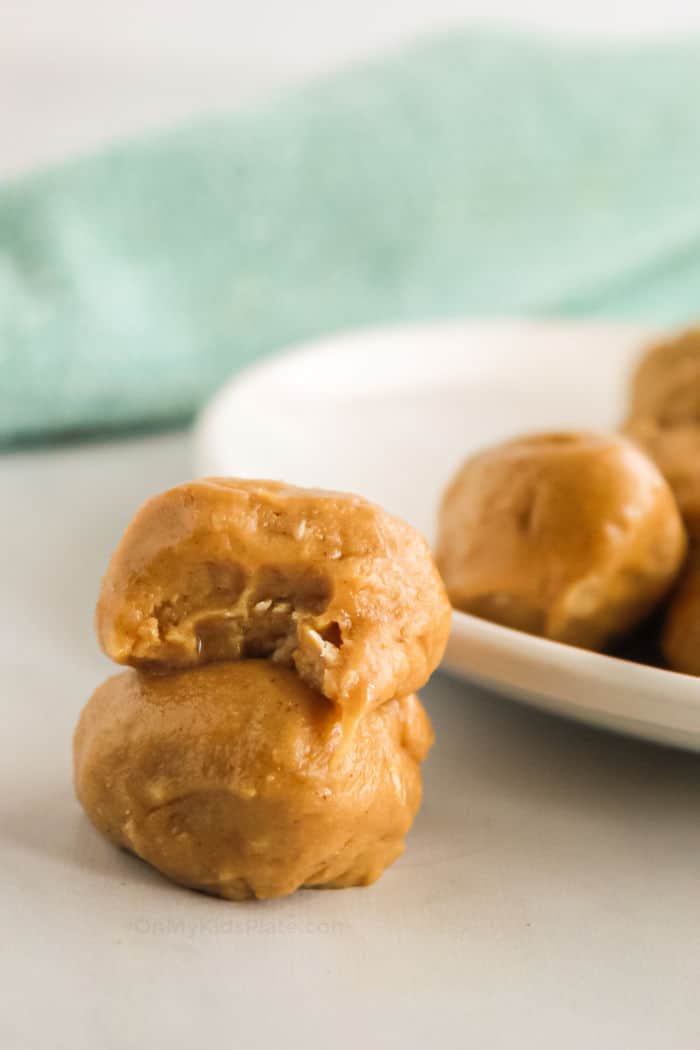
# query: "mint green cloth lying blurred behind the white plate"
[478,175]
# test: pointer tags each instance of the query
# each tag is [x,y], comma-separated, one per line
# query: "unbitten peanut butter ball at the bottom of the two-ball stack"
[229,779]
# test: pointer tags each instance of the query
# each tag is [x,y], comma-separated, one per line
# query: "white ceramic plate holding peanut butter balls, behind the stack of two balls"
[391,414]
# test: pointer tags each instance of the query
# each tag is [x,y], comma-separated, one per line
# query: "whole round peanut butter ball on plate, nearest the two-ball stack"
[572,536]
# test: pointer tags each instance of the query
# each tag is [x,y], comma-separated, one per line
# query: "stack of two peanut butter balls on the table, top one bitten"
[268,736]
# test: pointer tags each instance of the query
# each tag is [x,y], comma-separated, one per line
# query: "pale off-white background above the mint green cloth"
[78,73]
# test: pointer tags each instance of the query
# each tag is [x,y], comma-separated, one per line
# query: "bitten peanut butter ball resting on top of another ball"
[323,582]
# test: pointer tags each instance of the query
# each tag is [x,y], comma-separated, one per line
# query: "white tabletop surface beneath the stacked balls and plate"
[548,897]
